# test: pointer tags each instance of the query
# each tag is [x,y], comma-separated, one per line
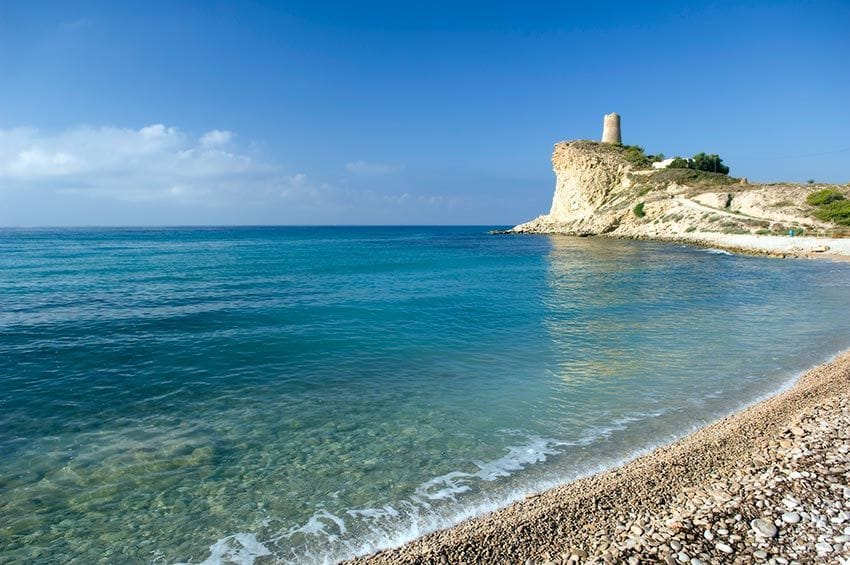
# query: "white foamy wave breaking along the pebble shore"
[393,525]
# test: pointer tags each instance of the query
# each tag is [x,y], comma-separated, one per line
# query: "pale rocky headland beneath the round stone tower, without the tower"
[599,191]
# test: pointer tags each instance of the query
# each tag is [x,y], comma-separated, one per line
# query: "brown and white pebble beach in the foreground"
[783,462]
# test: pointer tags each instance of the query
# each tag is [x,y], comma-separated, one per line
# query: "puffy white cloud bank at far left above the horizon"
[154,162]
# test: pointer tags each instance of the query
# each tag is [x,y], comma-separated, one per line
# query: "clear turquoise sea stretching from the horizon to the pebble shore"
[308,394]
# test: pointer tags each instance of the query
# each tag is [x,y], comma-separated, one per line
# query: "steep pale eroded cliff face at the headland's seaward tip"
[589,178]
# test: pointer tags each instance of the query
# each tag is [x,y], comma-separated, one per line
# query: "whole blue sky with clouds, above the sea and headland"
[415,112]
